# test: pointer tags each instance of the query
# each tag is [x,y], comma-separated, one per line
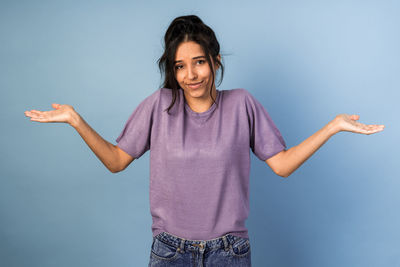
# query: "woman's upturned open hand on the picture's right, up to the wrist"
[345,122]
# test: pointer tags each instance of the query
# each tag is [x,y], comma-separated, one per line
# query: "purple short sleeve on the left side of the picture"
[136,135]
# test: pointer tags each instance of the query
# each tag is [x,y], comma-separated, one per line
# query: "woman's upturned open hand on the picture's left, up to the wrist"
[61,113]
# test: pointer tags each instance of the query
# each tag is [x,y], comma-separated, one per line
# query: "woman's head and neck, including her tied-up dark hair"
[186,39]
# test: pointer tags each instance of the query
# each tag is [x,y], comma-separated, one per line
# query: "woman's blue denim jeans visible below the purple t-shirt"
[228,250]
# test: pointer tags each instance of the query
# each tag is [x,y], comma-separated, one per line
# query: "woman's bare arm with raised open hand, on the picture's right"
[287,161]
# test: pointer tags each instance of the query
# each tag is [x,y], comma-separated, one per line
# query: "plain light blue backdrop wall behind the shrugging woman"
[306,62]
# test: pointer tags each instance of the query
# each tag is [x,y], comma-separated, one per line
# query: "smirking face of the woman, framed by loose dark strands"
[192,71]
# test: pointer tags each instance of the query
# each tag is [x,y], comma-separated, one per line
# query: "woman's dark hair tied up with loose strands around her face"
[183,29]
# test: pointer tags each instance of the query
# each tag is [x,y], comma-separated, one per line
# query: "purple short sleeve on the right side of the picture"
[265,138]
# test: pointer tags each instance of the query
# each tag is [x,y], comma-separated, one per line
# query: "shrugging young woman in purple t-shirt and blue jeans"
[199,139]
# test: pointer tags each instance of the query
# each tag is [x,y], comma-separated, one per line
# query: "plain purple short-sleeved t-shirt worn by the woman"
[200,162]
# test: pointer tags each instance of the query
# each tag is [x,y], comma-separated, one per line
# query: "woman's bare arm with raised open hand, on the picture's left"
[114,158]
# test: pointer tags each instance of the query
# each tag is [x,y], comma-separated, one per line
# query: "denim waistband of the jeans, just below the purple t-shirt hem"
[183,244]
